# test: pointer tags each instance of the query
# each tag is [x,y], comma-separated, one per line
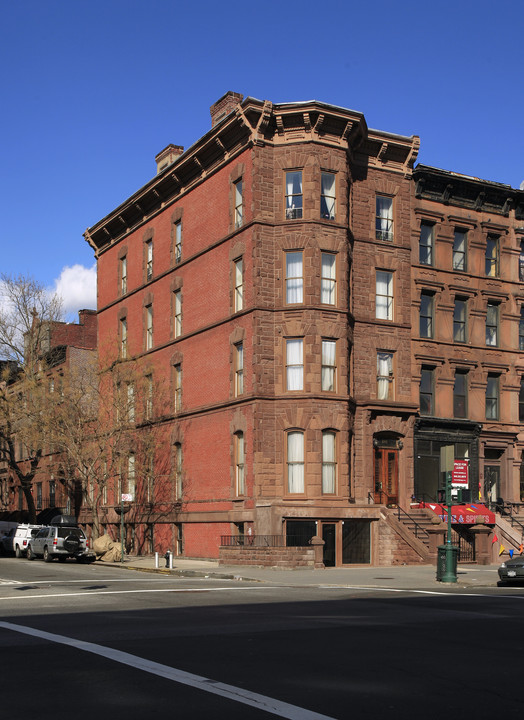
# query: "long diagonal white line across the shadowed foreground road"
[261,702]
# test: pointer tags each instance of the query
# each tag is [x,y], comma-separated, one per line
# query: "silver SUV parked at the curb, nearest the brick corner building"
[61,539]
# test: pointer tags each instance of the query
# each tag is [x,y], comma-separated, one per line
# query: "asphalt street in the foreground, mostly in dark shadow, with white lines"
[97,641]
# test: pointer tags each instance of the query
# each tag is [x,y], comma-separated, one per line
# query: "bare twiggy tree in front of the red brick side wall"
[105,429]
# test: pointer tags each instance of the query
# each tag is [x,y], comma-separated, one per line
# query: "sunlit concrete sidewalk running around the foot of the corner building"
[405,577]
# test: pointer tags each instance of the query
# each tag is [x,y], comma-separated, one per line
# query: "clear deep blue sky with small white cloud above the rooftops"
[93,90]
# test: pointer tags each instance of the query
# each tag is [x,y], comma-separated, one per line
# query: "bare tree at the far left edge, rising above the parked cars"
[27,312]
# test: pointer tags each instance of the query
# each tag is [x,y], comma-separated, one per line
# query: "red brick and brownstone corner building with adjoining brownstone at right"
[298,286]
